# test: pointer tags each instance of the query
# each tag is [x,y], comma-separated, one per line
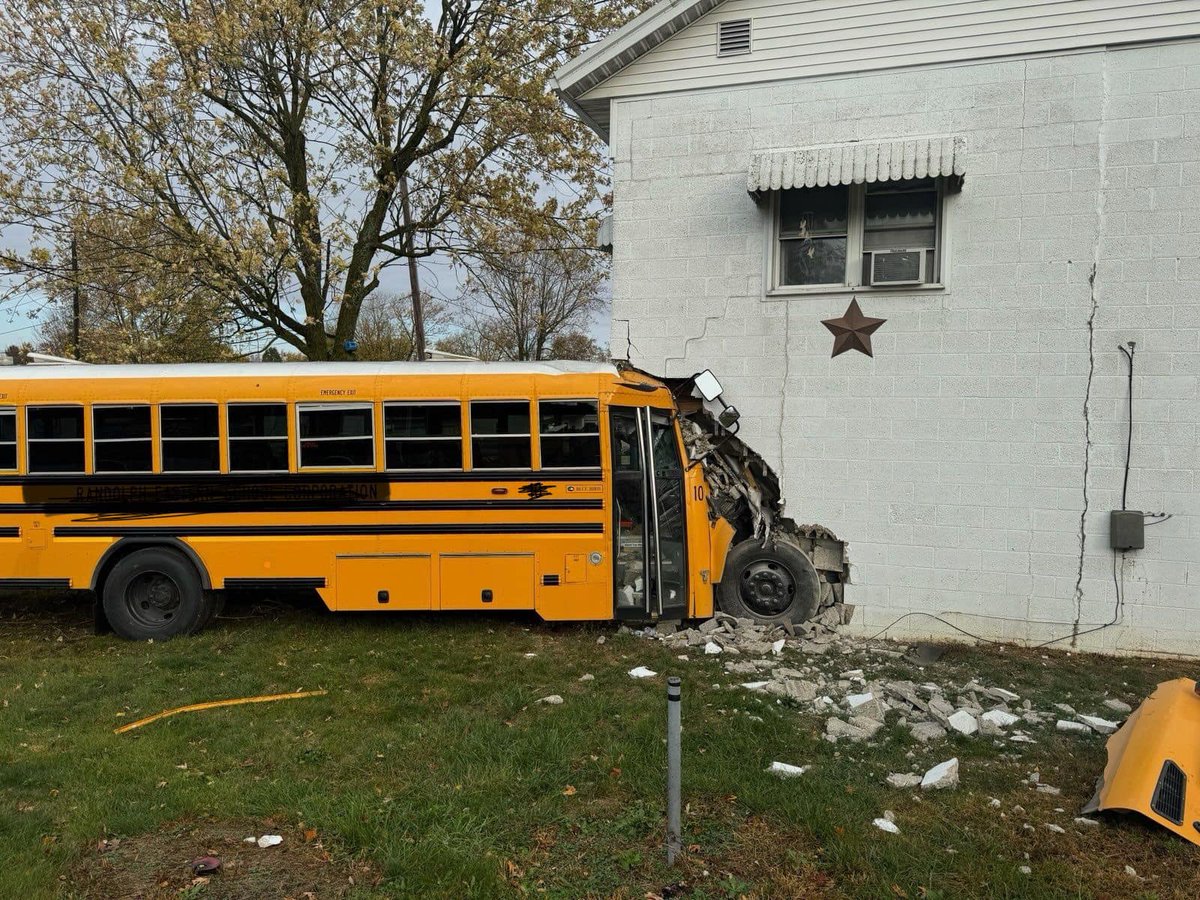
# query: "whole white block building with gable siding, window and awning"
[1016,188]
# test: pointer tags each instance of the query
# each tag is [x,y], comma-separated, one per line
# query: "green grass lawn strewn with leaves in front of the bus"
[431,765]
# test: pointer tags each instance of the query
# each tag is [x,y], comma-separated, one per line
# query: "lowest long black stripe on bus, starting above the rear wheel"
[327,530]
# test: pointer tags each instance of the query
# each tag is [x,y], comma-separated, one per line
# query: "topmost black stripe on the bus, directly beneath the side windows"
[291,478]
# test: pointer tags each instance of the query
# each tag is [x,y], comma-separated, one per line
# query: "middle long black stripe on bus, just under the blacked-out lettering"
[251,505]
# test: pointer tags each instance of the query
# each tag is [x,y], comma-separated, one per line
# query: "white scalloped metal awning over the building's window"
[855,164]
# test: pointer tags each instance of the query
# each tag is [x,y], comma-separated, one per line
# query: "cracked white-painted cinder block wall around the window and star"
[959,461]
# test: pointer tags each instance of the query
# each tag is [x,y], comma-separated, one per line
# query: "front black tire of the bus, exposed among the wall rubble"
[770,585]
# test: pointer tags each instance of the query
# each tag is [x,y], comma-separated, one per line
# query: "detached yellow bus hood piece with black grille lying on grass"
[1155,761]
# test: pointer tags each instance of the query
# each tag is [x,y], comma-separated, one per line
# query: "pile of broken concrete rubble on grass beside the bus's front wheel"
[802,665]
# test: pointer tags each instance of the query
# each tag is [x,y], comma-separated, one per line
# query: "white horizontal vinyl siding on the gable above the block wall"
[823,38]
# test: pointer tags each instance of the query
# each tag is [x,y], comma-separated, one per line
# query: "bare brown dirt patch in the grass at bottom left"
[159,866]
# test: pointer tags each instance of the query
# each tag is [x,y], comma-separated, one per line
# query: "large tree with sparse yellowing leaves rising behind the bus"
[284,153]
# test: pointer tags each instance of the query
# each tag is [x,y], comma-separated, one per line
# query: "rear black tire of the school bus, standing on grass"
[155,593]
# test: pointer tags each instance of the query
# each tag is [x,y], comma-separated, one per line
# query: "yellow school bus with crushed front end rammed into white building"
[561,488]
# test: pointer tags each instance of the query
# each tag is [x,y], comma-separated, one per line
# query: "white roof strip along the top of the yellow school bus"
[260,370]
